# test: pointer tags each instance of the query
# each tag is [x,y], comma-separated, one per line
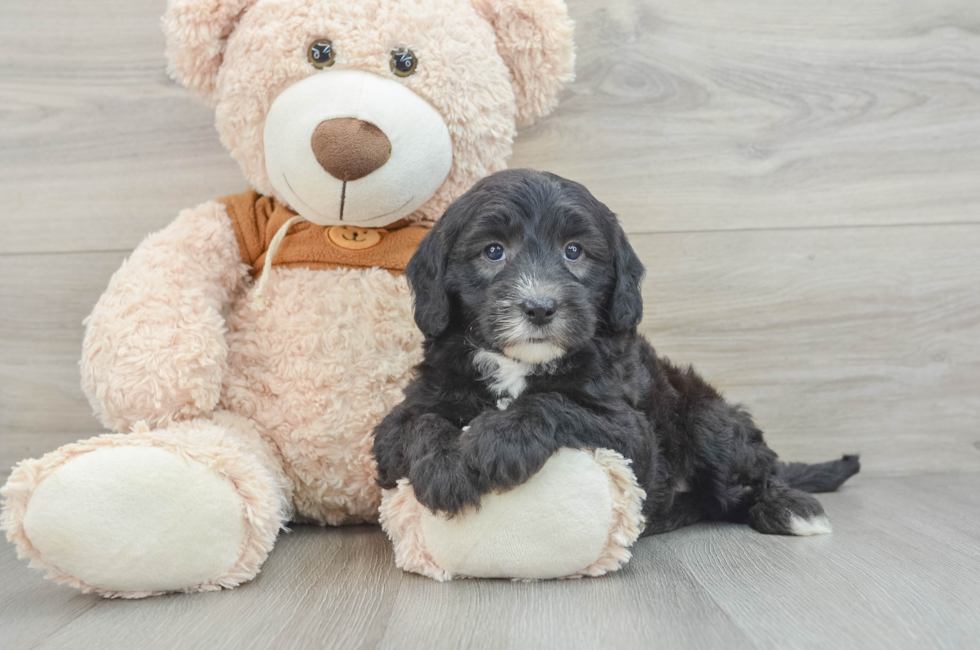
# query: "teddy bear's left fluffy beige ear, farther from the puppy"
[196,32]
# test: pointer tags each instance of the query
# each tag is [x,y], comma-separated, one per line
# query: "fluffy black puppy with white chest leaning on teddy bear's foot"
[528,294]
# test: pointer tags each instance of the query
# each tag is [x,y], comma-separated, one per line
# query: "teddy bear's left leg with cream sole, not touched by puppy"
[193,507]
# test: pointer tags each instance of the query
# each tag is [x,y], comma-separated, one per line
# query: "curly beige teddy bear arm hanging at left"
[154,347]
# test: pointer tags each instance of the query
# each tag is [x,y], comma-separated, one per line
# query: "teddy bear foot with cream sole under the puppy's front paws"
[577,516]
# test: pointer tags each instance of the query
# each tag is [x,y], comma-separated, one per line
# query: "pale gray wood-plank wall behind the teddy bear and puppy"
[802,180]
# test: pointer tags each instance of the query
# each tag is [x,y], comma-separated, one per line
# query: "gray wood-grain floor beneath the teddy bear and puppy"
[901,570]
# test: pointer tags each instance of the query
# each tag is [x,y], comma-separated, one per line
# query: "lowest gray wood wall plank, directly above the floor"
[838,340]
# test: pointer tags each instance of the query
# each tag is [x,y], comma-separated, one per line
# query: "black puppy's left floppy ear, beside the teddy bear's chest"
[426,273]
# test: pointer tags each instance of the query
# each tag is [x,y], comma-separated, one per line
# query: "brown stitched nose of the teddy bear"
[349,148]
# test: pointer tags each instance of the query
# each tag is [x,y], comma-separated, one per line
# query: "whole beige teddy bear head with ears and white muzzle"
[365,112]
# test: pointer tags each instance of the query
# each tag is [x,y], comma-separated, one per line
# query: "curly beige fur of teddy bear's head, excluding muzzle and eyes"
[486,66]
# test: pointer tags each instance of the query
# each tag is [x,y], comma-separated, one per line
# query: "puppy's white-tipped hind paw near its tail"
[782,510]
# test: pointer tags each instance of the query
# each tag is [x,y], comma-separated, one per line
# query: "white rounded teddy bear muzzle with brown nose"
[347,147]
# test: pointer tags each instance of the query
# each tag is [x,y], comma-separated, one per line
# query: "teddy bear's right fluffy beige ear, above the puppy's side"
[534,37]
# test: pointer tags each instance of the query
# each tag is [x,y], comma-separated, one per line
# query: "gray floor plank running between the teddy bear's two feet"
[331,588]
